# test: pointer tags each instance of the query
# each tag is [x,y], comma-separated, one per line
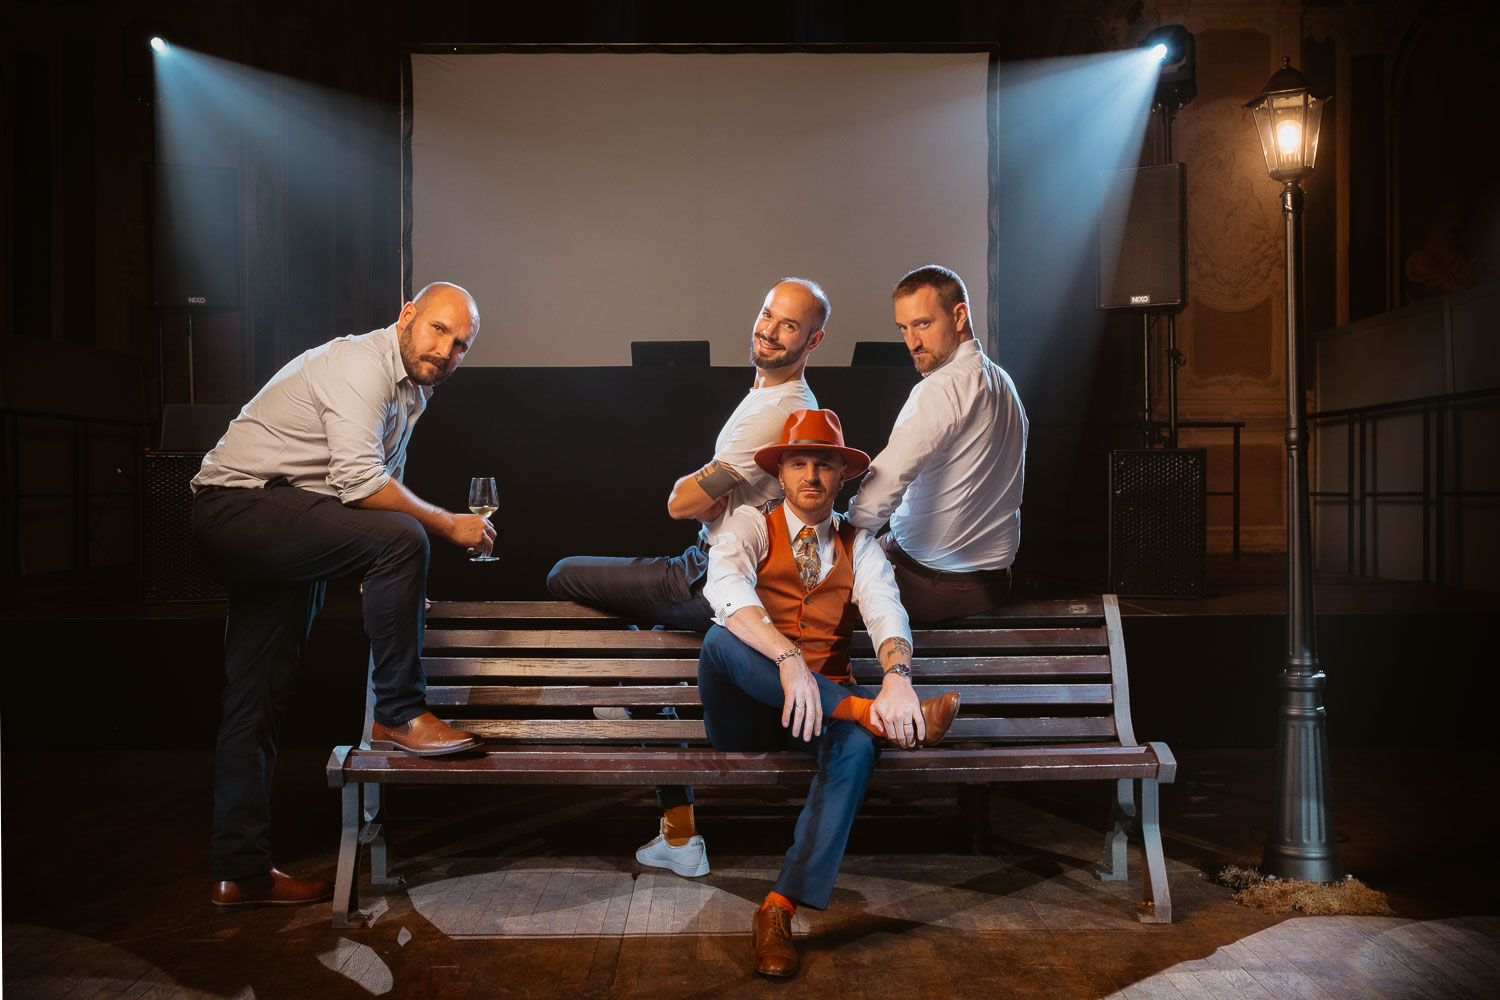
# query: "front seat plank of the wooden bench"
[637,767]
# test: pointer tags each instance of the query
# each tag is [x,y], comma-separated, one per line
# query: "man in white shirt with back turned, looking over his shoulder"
[950,479]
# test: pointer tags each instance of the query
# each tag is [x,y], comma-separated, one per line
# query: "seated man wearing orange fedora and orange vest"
[787,581]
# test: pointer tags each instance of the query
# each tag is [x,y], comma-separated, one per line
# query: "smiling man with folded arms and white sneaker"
[670,590]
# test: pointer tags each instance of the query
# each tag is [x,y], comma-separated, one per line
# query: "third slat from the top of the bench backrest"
[686,668]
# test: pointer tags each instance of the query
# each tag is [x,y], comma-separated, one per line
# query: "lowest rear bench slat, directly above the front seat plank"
[689,731]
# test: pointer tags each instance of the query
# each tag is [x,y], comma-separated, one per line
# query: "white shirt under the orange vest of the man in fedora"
[742,542]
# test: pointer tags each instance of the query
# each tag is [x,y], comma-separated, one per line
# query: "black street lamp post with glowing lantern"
[1301,840]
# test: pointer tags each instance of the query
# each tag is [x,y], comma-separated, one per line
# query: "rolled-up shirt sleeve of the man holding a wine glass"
[355,406]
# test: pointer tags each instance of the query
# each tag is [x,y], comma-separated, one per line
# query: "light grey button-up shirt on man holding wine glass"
[335,421]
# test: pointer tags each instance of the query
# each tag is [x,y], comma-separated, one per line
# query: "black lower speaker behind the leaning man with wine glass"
[170,564]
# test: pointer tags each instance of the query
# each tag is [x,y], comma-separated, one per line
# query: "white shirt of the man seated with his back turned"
[950,479]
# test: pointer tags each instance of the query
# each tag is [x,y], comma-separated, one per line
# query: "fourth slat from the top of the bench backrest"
[676,695]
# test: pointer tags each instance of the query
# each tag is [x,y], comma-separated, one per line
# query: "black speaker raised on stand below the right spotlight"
[1142,239]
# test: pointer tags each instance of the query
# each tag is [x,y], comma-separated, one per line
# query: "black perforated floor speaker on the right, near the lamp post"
[1159,522]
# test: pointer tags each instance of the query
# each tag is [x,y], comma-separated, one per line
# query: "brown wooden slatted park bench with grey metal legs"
[1045,690]
